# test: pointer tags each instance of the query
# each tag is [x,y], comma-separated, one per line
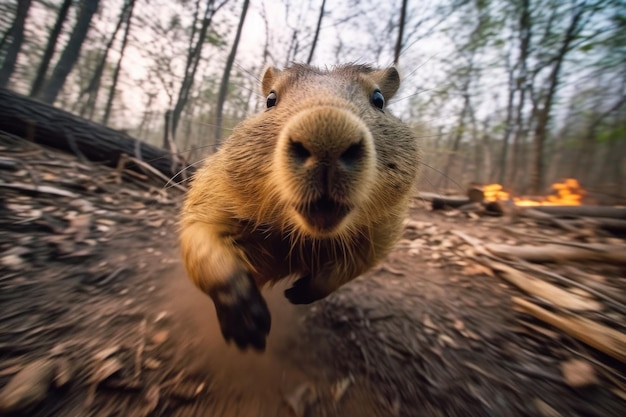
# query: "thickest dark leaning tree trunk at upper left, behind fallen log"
[70,54]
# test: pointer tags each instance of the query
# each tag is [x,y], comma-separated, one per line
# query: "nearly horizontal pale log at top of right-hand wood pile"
[614,254]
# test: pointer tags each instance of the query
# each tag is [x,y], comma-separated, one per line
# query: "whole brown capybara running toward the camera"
[315,188]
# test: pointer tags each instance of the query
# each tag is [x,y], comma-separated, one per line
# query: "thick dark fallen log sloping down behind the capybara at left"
[47,125]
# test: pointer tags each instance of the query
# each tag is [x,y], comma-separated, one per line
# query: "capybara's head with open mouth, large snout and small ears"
[340,157]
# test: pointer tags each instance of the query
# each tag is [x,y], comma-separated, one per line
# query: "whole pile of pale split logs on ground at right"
[578,307]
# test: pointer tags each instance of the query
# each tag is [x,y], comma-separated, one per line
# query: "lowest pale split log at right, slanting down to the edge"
[596,335]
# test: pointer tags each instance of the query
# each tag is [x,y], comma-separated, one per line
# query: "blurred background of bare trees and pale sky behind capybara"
[519,92]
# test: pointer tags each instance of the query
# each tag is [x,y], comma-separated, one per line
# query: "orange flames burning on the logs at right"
[566,193]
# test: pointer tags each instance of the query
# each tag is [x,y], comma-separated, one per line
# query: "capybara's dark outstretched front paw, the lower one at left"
[242,312]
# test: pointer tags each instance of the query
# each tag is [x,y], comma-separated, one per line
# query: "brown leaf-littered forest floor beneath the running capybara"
[97,317]
